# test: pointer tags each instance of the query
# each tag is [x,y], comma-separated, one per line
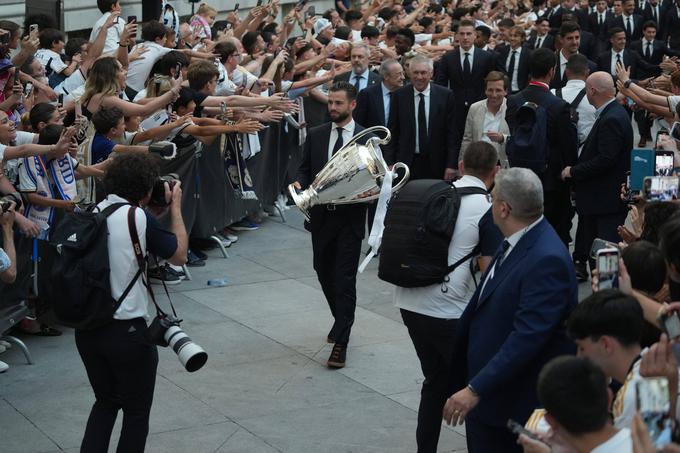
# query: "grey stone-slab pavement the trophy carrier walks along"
[265,387]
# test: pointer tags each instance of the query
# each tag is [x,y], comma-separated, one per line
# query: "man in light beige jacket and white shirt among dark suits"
[486,118]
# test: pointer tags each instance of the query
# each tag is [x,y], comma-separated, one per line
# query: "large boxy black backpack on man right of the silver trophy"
[419,224]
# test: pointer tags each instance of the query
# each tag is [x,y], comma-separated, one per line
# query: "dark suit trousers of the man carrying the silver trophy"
[336,260]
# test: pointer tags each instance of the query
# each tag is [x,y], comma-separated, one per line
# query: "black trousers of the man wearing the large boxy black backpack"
[433,339]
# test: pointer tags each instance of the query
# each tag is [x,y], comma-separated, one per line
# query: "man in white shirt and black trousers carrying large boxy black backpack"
[431,312]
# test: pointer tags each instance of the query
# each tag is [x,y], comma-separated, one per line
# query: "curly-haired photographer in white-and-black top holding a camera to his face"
[121,364]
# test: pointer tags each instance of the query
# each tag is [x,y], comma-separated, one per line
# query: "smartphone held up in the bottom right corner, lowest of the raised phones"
[653,404]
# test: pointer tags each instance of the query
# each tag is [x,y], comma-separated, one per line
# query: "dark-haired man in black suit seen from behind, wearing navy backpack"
[562,139]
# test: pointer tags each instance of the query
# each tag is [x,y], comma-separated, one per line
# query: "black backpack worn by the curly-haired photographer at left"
[81,290]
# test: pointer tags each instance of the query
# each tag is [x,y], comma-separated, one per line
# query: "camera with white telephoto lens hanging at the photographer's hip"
[165,331]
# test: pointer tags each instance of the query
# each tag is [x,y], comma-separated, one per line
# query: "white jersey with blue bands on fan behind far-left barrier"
[55,180]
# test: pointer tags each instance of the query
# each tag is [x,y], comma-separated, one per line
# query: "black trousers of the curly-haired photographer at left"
[121,366]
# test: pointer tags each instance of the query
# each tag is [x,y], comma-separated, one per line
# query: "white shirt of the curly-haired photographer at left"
[123,262]
